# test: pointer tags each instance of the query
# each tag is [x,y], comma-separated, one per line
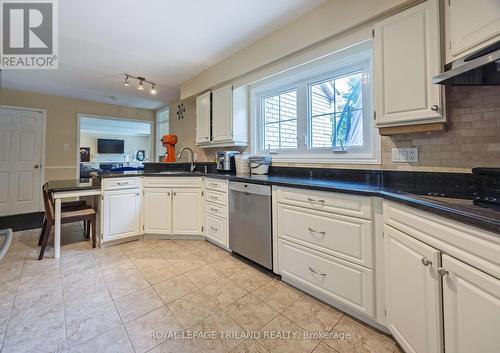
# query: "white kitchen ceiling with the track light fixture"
[167,41]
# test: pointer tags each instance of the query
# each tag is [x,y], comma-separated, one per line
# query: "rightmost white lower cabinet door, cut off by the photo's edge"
[471,309]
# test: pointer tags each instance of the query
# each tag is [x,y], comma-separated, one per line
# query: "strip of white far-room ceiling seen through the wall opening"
[114,127]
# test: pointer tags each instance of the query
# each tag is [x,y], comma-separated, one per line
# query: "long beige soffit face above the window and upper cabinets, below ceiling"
[334,18]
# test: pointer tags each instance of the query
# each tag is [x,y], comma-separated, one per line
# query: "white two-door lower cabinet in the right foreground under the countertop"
[430,285]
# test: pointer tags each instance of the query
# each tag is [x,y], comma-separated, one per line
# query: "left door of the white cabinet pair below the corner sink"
[157,211]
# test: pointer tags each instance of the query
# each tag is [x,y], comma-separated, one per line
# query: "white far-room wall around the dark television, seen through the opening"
[131,143]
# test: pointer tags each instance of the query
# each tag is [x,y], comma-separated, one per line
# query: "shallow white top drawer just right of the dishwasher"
[349,205]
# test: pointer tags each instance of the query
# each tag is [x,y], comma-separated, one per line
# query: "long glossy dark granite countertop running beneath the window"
[459,208]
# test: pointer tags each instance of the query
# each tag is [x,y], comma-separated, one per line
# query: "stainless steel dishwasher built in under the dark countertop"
[250,222]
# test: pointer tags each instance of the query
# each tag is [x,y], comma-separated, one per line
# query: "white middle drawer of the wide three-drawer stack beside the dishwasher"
[348,238]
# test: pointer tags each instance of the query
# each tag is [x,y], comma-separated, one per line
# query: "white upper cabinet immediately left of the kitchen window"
[227,122]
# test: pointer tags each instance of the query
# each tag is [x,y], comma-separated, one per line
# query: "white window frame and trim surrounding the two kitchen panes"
[351,60]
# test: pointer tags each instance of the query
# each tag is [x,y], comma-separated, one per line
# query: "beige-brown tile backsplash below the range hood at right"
[471,140]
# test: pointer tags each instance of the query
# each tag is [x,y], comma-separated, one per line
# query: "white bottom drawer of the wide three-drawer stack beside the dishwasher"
[342,281]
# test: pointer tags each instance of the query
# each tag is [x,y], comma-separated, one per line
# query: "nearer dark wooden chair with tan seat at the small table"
[67,216]
